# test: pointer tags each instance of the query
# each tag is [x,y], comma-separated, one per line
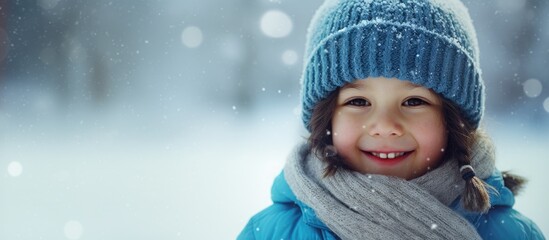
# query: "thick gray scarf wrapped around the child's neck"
[368,206]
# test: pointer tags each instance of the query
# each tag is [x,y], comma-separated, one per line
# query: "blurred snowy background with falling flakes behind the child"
[138,119]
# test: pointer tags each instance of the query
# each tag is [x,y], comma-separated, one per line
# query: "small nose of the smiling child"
[384,124]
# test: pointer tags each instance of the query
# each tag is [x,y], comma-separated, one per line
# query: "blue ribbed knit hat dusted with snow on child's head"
[431,43]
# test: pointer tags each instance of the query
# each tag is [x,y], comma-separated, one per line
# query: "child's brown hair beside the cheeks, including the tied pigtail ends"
[461,137]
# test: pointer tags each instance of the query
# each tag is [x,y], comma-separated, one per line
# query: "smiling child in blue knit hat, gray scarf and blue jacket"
[393,97]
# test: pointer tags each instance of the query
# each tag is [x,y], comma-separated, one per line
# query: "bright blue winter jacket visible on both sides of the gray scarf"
[288,218]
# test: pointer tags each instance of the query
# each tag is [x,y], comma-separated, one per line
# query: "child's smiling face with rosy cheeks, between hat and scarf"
[390,127]
